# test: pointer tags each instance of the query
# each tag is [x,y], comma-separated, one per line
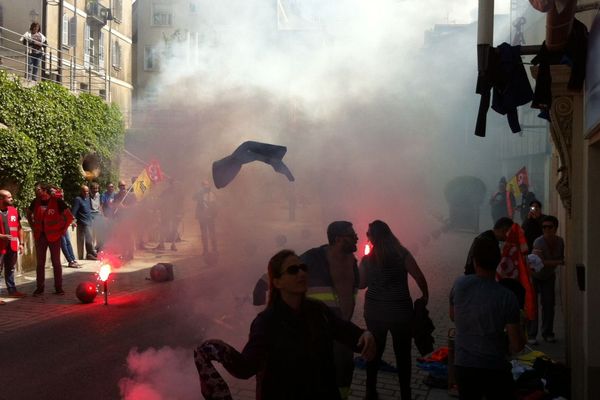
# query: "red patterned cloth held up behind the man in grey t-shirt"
[514,266]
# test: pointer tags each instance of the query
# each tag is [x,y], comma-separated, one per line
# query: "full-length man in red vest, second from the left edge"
[49,217]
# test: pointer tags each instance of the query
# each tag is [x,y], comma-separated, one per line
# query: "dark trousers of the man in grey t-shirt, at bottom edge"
[475,383]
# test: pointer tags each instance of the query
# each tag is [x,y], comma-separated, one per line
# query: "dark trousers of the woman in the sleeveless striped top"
[402,341]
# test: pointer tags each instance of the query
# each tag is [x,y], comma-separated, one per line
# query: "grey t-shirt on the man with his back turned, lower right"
[482,308]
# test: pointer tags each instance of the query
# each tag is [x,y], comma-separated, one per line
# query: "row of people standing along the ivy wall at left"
[95,216]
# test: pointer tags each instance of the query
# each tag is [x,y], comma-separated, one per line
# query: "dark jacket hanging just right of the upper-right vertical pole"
[511,87]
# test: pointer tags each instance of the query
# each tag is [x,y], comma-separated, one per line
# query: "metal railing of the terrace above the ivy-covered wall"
[51,64]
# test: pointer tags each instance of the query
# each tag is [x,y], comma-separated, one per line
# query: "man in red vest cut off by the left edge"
[11,242]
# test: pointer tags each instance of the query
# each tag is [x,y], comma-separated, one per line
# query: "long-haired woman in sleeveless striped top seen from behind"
[388,305]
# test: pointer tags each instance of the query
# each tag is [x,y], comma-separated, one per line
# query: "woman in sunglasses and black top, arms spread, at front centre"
[290,346]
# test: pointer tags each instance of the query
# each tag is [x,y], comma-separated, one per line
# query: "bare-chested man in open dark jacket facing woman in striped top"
[333,279]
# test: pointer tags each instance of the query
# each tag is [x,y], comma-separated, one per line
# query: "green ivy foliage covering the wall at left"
[50,131]
